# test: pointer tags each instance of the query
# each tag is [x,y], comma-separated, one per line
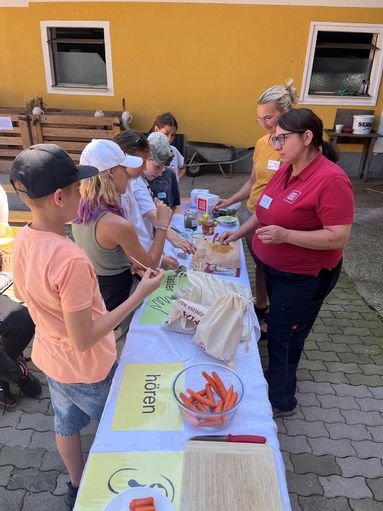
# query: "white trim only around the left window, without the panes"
[51,89]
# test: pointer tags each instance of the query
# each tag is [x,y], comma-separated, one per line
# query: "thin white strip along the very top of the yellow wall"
[363,4]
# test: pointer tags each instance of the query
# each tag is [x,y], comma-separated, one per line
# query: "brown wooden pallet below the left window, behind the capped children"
[72,132]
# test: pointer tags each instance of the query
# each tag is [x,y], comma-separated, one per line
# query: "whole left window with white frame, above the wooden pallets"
[77,57]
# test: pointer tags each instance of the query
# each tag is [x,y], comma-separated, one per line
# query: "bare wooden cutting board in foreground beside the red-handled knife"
[229,476]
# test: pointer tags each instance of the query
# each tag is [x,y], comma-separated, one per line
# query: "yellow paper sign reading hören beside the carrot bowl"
[145,400]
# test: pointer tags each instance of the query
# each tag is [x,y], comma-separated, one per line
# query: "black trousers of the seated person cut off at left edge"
[16,331]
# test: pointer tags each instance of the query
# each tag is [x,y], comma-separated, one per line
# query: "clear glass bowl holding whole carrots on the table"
[191,378]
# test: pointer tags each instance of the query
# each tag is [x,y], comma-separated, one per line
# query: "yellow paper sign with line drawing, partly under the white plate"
[108,474]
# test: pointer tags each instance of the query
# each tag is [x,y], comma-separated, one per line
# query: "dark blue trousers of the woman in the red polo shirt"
[295,301]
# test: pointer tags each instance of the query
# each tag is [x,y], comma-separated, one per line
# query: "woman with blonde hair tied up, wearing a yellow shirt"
[266,160]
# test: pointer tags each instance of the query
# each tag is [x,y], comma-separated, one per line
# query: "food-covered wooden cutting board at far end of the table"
[210,255]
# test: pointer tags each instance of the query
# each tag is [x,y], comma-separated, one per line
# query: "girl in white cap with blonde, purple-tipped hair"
[101,229]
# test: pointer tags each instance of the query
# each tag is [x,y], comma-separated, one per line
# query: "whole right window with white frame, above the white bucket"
[343,64]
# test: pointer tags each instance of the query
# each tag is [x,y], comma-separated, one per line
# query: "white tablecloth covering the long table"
[155,344]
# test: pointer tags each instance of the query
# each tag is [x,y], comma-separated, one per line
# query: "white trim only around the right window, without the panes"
[376,74]
